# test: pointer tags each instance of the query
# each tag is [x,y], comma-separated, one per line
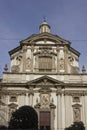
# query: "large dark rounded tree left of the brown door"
[24,118]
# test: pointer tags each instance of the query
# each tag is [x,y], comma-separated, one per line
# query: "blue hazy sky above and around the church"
[21,18]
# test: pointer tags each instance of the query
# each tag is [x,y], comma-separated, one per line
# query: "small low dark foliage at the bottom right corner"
[76,126]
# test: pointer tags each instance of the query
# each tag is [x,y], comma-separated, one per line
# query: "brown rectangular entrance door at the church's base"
[45,120]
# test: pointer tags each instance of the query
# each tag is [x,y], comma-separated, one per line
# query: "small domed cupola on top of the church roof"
[44,27]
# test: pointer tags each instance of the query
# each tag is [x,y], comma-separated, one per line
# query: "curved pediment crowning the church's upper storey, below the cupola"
[34,38]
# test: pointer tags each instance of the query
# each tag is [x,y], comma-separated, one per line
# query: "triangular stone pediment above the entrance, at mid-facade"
[45,81]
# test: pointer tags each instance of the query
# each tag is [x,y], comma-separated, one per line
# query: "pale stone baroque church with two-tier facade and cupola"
[44,73]
